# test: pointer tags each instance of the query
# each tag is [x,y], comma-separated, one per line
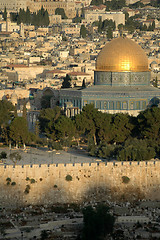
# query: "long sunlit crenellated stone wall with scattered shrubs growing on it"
[90,182]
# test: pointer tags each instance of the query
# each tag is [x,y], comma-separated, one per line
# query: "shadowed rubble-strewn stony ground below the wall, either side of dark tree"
[132,221]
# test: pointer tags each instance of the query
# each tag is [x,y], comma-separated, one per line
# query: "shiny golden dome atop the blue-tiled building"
[122,55]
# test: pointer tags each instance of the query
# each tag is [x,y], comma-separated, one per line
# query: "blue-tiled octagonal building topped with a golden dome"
[121,82]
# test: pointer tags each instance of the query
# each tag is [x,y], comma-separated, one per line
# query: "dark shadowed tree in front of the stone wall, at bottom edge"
[97,222]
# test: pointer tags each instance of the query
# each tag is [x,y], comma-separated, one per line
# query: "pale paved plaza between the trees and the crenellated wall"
[45,156]
